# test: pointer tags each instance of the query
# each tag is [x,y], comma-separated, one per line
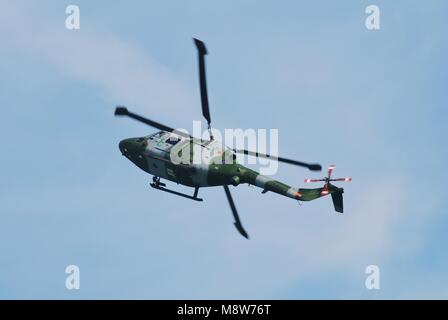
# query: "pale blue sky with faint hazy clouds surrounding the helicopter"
[371,102]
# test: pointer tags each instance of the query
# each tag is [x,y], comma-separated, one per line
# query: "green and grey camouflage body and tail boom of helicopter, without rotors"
[197,163]
